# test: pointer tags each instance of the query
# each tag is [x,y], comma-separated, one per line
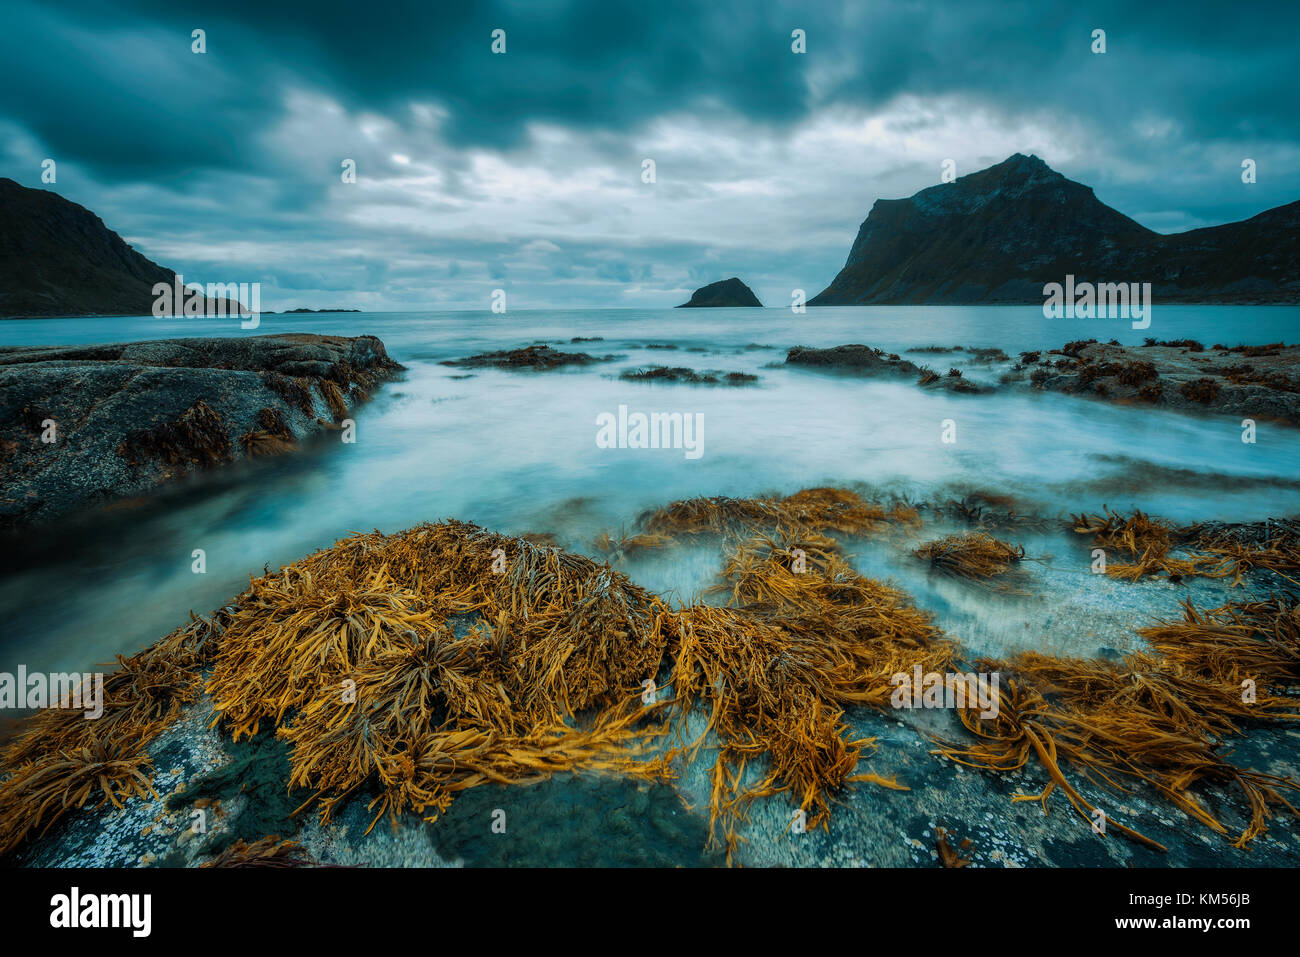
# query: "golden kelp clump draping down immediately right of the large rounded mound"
[805,638]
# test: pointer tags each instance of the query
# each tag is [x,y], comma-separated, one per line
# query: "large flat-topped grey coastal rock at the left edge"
[83,426]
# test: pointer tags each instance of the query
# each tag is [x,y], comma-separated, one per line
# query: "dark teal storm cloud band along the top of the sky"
[122,89]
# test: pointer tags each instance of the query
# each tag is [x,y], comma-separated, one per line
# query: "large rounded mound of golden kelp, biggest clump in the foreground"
[357,655]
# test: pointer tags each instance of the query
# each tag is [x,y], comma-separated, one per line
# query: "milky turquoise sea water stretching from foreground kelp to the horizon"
[517,452]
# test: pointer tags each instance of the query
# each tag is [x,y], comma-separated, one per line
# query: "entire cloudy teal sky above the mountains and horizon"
[523,171]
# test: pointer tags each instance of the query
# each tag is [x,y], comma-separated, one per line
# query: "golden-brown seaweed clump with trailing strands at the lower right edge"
[1155,718]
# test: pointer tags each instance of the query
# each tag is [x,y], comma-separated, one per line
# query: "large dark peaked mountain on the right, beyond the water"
[1000,235]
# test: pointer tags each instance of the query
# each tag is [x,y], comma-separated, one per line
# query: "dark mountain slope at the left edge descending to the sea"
[59,259]
